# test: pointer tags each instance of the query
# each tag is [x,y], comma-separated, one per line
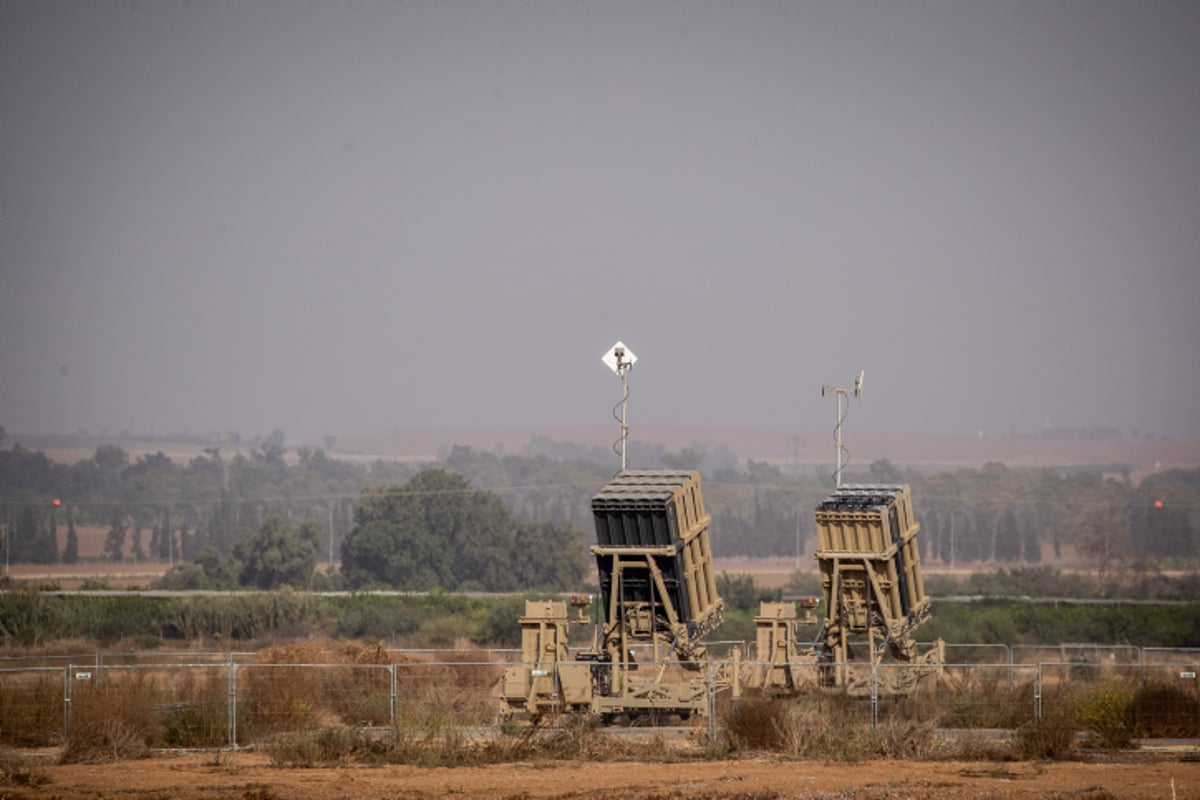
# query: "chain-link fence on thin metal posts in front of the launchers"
[233,702]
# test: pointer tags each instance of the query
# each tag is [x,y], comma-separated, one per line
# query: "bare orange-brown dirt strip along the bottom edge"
[251,777]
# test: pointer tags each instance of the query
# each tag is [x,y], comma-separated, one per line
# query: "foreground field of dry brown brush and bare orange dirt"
[286,702]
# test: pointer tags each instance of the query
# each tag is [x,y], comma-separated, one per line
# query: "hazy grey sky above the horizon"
[350,216]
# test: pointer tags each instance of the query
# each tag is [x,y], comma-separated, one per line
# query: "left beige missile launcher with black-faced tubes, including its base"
[658,597]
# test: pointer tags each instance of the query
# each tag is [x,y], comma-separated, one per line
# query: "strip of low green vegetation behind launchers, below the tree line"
[33,618]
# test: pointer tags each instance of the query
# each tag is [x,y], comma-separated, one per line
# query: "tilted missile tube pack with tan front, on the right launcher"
[871,567]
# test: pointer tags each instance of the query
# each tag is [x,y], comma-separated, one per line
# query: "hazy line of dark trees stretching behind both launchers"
[447,525]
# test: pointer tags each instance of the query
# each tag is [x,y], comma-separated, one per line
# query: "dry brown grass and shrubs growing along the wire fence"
[322,702]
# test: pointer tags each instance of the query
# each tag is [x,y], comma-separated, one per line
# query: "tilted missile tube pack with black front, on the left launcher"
[655,560]
